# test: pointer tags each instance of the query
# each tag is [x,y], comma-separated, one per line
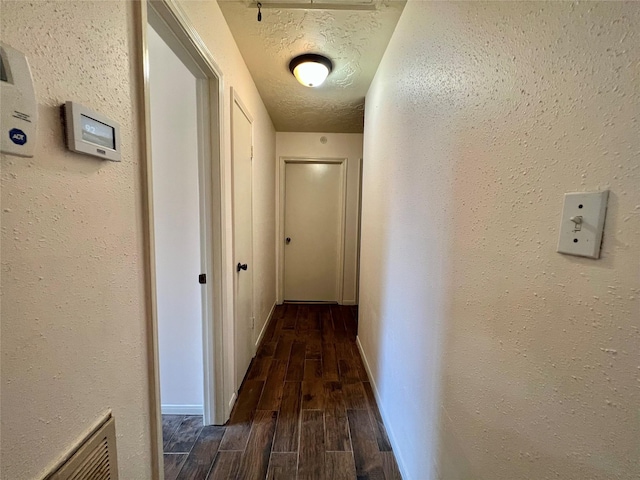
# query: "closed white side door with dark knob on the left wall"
[242,238]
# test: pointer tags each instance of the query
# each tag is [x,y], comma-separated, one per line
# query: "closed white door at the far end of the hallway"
[313,213]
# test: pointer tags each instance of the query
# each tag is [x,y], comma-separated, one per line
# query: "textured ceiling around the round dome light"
[354,35]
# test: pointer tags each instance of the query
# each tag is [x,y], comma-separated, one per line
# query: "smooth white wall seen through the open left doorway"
[176,204]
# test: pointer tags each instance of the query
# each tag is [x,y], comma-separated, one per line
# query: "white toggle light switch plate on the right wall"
[582,223]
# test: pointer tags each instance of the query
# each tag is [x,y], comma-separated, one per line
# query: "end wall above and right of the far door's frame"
[338,145]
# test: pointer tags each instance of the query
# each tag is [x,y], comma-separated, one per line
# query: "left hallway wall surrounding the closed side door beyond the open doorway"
[208,20]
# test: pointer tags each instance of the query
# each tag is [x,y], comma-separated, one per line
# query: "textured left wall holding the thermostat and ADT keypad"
[73,314]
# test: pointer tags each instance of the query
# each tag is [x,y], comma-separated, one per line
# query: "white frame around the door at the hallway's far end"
[281,189]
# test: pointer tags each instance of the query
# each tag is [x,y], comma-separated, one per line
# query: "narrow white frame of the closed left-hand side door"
[235,98]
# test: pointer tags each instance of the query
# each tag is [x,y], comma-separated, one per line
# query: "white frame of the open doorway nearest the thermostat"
[177,31]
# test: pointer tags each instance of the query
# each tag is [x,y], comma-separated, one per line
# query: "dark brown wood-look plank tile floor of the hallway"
[305,410]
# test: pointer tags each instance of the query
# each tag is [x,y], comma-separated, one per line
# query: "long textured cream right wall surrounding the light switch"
[494,356]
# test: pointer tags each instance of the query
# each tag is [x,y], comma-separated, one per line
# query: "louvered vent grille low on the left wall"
[94,459]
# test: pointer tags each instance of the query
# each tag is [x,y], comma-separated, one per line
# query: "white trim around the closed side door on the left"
[235,98]
